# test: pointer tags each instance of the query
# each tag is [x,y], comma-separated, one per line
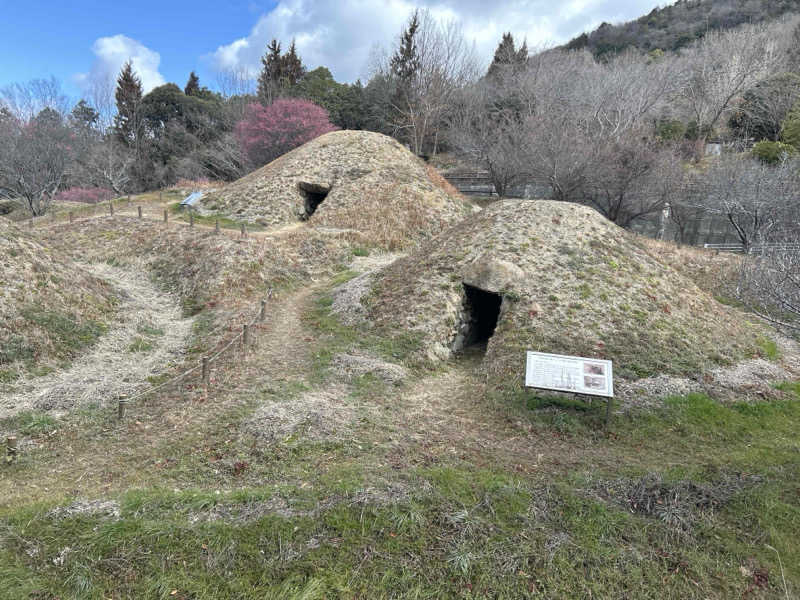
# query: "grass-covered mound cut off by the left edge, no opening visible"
[50,310]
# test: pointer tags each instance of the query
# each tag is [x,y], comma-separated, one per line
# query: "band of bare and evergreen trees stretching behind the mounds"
[626,134]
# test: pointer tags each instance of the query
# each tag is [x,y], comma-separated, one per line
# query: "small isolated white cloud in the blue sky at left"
[112,52]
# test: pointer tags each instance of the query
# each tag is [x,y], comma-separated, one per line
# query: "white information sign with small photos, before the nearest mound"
[569,374]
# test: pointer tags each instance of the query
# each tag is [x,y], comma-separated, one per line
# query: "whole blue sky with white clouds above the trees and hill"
[168,39]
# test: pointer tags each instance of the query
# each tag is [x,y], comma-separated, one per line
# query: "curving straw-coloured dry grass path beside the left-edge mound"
[148,334]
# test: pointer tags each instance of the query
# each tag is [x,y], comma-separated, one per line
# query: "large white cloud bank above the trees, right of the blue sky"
[339,34]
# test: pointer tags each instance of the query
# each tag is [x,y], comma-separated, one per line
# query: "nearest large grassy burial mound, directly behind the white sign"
[552,277]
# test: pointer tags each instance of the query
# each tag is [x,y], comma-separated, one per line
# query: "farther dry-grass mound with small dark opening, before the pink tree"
[356,180]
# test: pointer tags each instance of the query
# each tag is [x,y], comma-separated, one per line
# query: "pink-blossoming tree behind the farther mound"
[266,132]
